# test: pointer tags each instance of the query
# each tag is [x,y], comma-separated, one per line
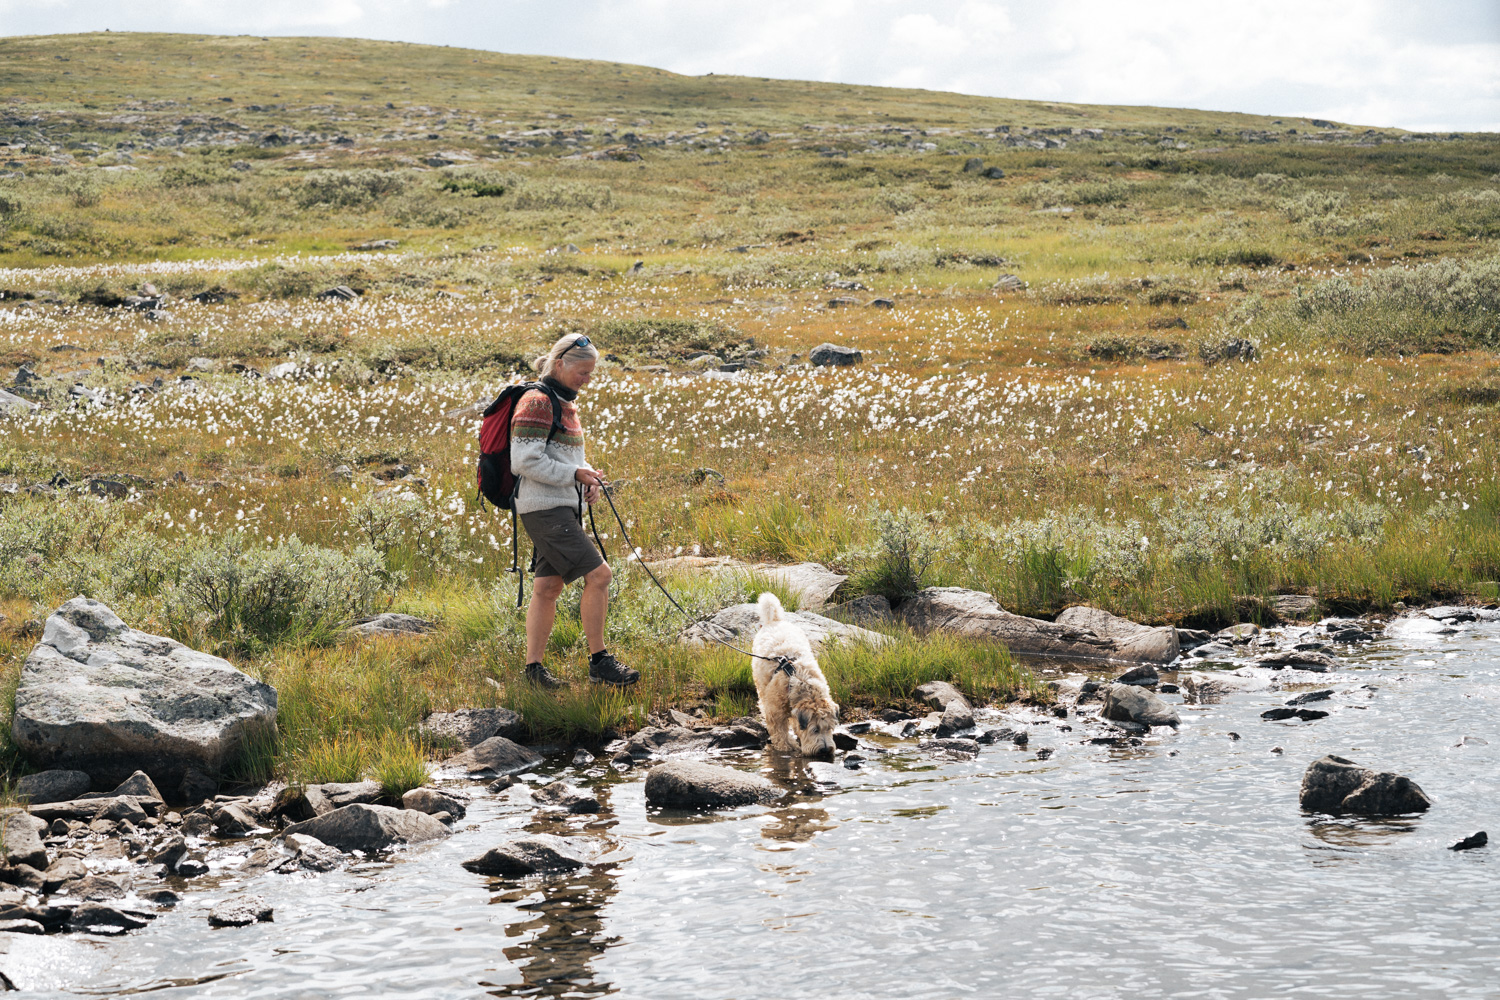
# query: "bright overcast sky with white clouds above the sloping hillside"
[1411,64]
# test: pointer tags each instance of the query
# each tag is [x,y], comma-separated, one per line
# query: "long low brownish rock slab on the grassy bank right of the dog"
[979,615]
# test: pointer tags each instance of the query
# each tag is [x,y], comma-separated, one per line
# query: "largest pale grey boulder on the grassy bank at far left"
[106,699]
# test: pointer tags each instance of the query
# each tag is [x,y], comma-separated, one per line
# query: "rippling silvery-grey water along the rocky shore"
[1181,867]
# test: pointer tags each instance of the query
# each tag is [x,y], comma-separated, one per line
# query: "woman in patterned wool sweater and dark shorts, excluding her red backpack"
[554,482]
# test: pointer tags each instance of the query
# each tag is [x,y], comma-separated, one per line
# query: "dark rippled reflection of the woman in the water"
[563,938]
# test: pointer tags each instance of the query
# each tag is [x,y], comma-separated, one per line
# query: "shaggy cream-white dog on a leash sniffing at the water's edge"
[791,687]
